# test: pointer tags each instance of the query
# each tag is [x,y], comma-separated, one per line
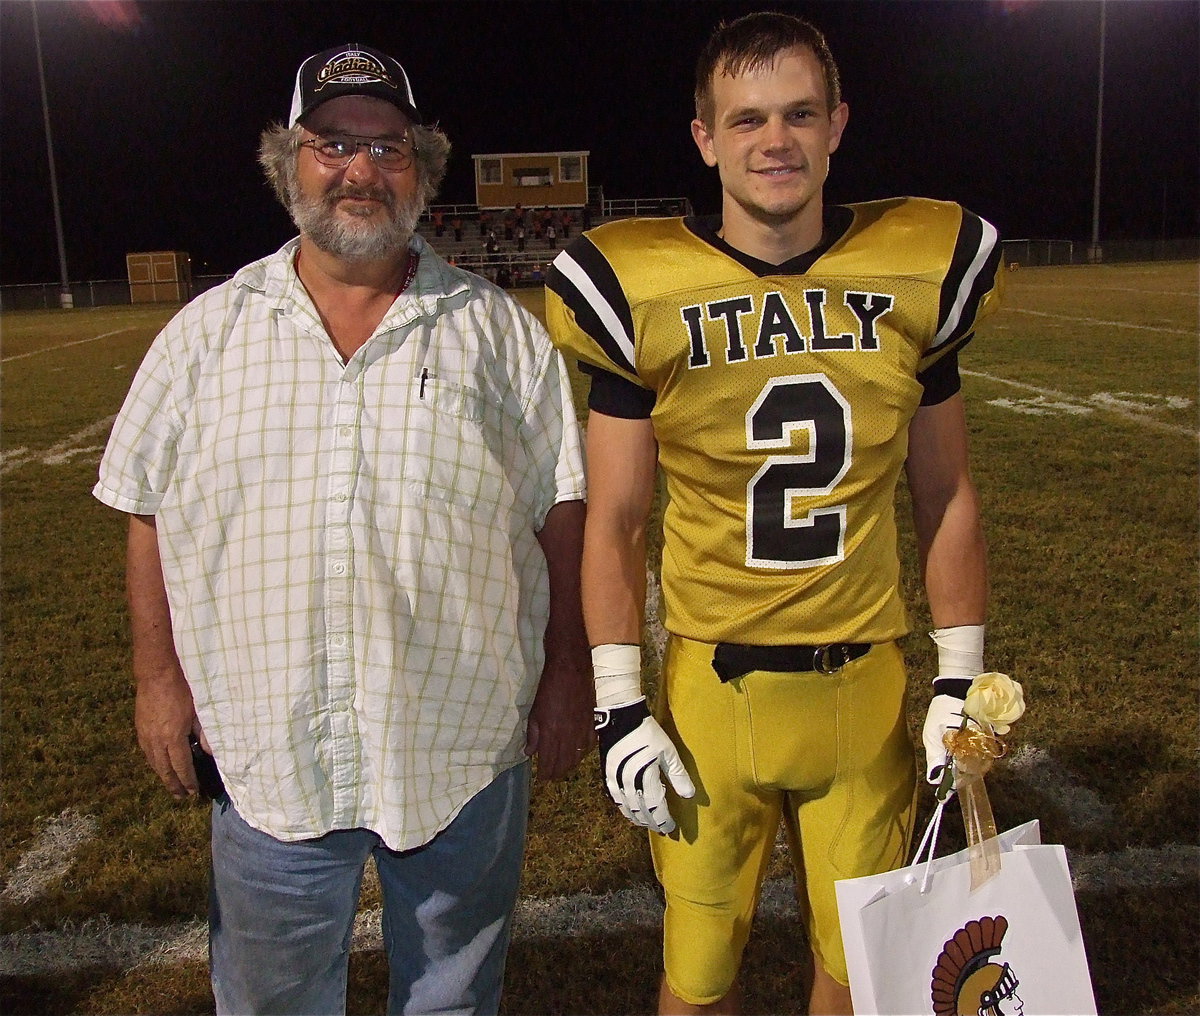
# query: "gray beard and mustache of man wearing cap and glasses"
[319,220]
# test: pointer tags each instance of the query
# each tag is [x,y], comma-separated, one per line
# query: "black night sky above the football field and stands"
[157,107]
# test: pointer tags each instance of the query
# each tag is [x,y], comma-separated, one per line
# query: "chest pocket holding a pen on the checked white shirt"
[454,447]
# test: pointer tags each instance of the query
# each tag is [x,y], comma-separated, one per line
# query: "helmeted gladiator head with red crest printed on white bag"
[967,983]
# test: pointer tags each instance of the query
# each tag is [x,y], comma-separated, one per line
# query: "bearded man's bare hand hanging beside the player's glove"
[560,731]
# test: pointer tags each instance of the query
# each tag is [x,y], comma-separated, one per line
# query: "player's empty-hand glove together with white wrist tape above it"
[633,747]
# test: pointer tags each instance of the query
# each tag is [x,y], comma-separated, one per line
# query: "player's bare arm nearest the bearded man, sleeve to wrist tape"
[622,467]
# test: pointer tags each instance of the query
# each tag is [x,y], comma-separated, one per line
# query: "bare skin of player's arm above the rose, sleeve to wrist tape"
[946,514]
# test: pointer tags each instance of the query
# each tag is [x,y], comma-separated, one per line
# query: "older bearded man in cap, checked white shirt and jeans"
[355,488]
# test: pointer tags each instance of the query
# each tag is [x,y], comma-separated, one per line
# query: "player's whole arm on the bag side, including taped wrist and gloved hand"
[955,564]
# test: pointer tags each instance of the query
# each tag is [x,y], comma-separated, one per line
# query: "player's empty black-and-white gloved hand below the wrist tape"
[633,750]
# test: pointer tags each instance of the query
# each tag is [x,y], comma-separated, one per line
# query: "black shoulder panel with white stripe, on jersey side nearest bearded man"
[587,285]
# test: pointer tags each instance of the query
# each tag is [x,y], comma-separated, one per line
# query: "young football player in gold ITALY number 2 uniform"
[782,364]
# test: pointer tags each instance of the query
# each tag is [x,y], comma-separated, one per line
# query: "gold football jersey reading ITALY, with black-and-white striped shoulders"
[782,400]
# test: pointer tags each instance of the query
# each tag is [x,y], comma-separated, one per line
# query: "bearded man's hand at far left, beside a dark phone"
[165,717]
